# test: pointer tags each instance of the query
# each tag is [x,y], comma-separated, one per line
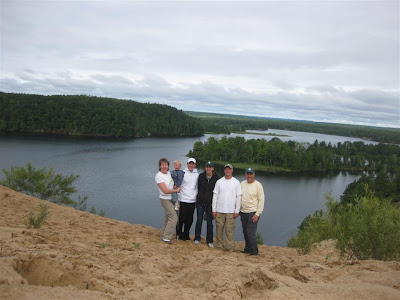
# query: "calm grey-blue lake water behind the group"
[118,177]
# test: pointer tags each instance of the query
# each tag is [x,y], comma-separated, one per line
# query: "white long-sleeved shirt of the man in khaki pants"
[227,197]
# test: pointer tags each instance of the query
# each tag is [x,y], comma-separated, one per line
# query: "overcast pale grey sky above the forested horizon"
[333,61]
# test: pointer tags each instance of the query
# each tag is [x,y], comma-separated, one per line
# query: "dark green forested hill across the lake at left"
[93,116]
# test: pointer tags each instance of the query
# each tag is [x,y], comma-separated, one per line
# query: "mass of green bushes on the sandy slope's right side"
[368,228]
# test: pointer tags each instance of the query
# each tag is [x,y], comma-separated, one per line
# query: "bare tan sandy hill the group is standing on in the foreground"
[78,255]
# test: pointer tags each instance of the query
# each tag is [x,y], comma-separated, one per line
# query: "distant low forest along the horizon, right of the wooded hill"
[222,123]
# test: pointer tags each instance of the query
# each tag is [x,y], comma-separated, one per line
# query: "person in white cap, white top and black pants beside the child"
[187,199]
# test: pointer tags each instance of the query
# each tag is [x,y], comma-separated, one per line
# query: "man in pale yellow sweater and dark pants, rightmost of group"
[252,206]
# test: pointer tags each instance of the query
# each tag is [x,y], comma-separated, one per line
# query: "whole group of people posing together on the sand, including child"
[222,199]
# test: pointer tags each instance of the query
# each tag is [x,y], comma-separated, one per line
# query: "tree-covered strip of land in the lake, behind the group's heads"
[292,156]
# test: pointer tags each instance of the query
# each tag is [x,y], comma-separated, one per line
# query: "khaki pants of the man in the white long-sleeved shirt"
[227,222]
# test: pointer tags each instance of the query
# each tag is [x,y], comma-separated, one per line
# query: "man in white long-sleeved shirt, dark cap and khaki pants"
[225,208]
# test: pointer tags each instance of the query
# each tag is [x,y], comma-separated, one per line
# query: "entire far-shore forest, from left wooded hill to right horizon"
[98,116]
